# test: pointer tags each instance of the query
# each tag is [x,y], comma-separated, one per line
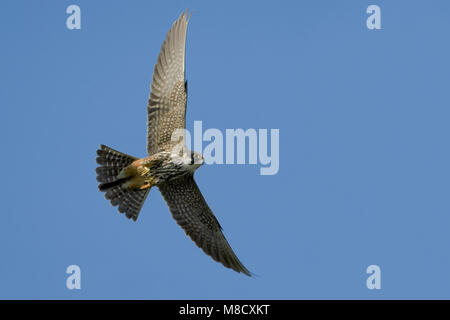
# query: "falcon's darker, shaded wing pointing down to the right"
[193,214]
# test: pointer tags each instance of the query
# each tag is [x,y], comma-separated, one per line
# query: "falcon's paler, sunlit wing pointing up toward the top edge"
[167,104]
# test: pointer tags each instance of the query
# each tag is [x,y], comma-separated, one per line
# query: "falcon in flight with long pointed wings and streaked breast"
[127,180]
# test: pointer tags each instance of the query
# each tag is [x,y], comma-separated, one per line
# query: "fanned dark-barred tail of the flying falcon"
[111,163]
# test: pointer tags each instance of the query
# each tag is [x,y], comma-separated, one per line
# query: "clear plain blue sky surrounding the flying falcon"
[364,148]
